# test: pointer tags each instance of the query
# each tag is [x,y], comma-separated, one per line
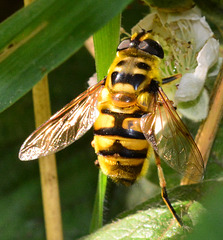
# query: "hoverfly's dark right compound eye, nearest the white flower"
[152,47]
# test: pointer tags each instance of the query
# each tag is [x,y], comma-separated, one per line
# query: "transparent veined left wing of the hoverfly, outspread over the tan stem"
[64,127]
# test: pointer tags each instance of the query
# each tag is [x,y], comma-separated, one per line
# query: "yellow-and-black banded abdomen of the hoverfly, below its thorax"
[120,145]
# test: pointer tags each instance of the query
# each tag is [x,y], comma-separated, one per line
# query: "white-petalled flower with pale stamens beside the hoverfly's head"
[190,49]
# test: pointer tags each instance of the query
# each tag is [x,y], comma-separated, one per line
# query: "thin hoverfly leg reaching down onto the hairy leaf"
[163,190]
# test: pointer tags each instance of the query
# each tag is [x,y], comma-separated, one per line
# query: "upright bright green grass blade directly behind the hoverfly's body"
[105,44]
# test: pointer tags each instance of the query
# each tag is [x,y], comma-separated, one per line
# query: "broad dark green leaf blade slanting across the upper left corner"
[41,36]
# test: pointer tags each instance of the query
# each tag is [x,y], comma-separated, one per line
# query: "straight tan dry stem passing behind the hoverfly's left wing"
[48,169]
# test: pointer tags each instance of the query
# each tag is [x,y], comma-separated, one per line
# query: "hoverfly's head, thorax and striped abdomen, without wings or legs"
[118,139]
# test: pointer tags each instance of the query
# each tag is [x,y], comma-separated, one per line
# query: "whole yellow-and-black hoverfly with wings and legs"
[131,115]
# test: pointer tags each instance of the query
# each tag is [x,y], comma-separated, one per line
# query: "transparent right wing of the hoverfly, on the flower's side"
[172,141]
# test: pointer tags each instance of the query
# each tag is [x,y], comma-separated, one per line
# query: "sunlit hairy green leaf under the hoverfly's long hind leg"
[153,220]
